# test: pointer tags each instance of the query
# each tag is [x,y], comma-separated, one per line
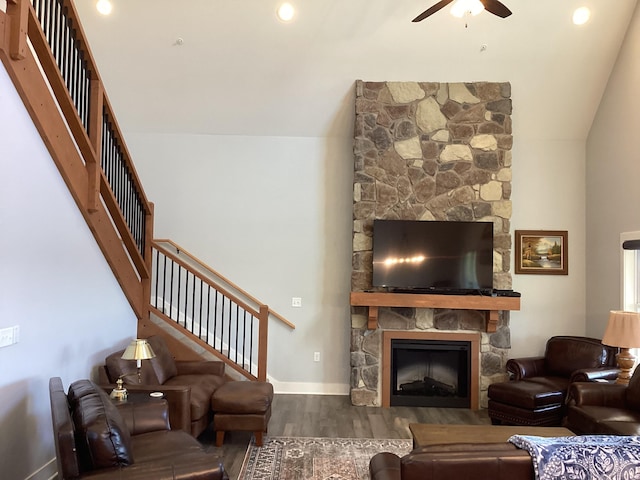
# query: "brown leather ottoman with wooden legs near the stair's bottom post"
[242,406]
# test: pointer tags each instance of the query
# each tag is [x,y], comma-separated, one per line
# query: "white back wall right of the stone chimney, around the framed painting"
[548,194]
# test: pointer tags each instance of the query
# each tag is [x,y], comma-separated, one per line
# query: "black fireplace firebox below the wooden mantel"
[430,373]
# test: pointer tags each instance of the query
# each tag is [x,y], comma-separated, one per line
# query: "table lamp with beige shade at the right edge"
[623,331]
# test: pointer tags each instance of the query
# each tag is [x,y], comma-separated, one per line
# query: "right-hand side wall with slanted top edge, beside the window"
[613,172]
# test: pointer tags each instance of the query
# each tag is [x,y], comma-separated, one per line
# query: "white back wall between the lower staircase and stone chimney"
[272,214]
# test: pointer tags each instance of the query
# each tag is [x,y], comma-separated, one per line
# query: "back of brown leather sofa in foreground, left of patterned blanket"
[495,461]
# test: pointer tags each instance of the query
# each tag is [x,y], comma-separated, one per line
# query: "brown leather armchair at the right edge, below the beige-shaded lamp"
[604,408]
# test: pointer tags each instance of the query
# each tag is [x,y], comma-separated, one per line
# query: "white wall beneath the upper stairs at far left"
[55,285]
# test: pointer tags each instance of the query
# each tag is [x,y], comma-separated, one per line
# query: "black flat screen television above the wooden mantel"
[433,256]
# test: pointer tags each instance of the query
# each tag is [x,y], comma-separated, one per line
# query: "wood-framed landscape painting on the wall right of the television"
[541,252]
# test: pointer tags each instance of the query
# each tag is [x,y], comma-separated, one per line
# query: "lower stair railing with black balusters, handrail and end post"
[188,293]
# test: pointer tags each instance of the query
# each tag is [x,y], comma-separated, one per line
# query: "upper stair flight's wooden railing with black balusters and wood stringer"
[81,133]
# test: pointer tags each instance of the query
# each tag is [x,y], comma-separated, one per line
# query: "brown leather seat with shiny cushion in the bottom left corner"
[95,439]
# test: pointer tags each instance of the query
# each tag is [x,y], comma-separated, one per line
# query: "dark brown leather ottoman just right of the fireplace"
[525,403]
